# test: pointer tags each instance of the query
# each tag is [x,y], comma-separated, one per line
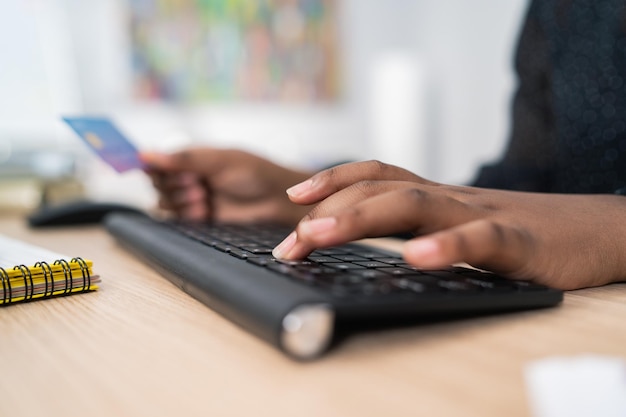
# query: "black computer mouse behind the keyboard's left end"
[78,212]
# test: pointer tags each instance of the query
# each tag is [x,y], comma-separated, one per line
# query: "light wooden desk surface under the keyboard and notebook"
[141,347]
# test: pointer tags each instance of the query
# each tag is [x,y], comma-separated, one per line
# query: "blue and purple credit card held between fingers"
[101,135]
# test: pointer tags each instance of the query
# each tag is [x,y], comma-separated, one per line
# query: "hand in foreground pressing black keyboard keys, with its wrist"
[563,241]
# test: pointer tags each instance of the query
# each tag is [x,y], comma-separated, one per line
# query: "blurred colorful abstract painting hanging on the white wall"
[189,51]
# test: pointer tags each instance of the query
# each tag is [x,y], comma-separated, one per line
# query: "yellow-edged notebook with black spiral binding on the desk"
[29,272]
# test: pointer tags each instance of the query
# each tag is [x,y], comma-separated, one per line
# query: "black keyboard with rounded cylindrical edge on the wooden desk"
[297,305]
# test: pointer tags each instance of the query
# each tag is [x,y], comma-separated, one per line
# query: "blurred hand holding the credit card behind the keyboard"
[226,185]
